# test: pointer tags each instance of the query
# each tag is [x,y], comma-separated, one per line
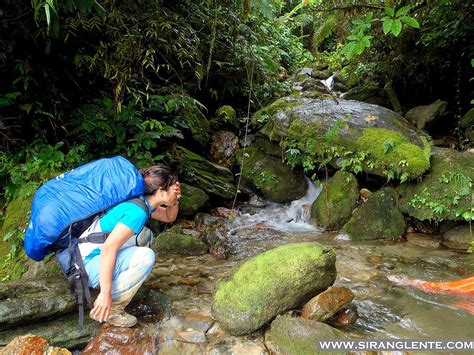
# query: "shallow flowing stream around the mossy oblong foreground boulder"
[386,309]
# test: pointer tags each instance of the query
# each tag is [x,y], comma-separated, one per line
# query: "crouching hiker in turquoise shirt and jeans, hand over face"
[118,266]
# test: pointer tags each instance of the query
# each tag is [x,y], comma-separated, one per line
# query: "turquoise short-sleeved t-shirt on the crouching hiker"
[128,213]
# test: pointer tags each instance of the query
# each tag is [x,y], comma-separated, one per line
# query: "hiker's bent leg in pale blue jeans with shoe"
[132,267]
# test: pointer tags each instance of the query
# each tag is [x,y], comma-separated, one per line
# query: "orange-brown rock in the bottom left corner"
[31,344]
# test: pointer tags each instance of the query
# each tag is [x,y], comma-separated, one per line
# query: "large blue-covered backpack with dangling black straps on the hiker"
[64,207]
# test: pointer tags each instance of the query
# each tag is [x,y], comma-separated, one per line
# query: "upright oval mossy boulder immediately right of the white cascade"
[334,205]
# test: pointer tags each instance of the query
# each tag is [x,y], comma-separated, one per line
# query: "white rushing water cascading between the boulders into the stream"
[293,217]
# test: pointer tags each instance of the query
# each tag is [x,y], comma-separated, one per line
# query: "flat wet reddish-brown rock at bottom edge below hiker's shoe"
[118,340]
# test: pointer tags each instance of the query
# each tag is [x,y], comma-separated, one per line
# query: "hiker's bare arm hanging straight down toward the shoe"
[120,234]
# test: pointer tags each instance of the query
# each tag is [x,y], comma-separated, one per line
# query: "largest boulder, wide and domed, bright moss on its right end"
[360,135]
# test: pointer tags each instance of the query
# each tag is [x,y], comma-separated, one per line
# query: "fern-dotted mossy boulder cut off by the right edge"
[446,188]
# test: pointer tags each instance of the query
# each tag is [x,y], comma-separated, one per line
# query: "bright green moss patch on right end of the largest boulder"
[394,153]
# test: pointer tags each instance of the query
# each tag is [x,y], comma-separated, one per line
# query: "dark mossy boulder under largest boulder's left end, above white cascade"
[275,179]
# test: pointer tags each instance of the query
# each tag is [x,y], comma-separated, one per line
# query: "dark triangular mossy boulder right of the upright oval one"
[378,218]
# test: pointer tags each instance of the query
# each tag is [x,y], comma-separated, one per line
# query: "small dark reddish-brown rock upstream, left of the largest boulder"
[224,144]
